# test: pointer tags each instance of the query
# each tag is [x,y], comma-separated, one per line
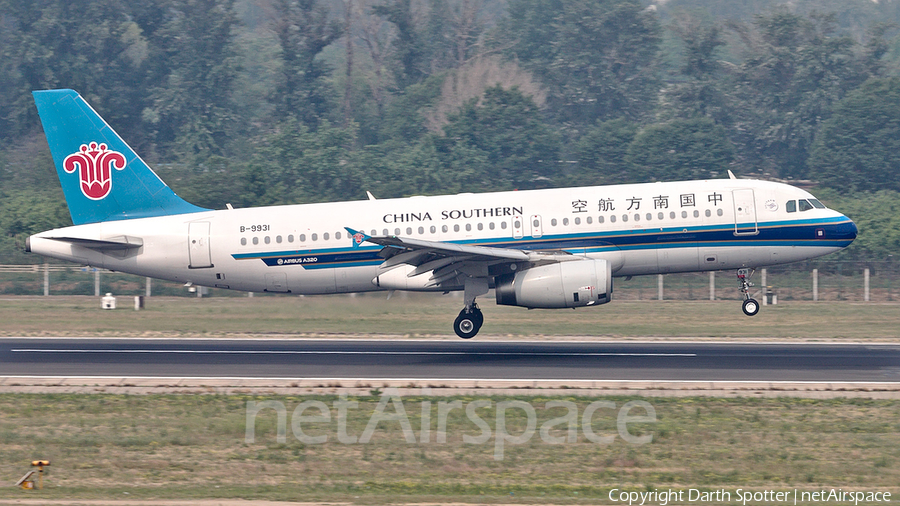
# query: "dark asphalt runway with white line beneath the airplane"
[391,359]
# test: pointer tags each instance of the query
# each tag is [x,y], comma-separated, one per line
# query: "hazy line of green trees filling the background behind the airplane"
[256,102]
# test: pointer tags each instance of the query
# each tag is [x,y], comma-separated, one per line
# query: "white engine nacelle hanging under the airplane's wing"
[575,283]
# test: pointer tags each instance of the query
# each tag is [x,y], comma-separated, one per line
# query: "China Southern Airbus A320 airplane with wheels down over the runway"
[548,248]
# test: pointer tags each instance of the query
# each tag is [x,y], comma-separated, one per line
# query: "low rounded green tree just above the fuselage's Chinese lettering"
[679,150]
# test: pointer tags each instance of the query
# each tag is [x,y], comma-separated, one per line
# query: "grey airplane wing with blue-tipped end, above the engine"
[448,262]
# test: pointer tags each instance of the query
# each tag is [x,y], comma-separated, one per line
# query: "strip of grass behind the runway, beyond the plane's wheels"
[432,315]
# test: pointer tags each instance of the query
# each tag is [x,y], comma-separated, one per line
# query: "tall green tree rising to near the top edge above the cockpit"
[797,68]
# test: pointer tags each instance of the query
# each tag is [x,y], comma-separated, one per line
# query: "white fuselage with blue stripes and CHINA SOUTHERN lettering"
[304,249]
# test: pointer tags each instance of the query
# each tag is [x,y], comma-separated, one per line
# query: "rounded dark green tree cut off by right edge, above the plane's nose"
[858,147]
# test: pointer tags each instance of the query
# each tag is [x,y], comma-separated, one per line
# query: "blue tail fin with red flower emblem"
[102,177]
